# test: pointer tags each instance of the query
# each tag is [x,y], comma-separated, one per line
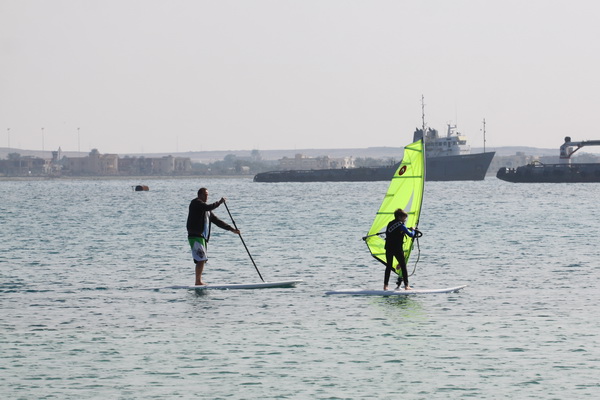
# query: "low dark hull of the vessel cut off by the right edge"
[551,173]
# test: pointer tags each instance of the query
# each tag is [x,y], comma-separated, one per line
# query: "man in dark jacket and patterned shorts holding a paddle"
[200,219]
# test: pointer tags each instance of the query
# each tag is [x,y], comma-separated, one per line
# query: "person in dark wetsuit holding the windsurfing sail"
[394,238]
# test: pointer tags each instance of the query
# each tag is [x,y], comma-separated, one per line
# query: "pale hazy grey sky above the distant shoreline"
[148,76]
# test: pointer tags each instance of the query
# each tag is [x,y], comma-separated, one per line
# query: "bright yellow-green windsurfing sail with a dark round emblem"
[405,192]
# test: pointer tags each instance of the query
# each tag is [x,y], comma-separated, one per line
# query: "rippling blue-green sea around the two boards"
[81,318]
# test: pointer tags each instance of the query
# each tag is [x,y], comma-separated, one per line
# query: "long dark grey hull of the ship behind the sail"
[470,167]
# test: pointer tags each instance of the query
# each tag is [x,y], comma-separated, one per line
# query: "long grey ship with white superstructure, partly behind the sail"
[447,158]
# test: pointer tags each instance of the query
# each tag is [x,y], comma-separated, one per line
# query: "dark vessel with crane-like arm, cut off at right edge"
[565,171]
